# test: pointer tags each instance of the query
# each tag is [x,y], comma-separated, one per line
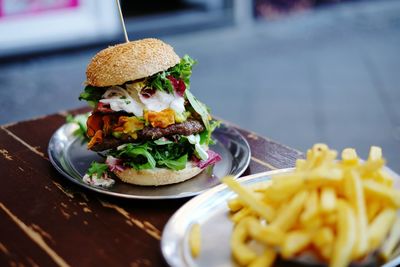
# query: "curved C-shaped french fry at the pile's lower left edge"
[240,251]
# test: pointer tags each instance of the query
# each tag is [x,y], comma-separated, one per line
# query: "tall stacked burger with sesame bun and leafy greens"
[145,120]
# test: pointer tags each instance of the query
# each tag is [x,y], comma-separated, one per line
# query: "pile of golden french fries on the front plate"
[341,211]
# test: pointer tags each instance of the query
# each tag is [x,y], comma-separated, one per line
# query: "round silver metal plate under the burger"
[70,157]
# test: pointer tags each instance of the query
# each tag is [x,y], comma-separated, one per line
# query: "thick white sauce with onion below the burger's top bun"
[120,100]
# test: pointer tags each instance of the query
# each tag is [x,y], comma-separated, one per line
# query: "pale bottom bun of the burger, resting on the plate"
[157,176]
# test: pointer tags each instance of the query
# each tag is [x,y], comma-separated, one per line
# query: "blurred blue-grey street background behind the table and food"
[296,71]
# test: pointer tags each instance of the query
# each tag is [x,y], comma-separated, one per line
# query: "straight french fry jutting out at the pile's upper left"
[264,210]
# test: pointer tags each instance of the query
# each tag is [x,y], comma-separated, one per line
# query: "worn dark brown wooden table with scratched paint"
[46,220]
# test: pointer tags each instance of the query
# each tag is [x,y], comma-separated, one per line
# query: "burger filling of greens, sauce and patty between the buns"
[152,122]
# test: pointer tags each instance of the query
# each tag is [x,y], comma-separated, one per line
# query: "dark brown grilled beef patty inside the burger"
[152,133]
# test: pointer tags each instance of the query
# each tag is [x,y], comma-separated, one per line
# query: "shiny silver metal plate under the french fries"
[210,211]
